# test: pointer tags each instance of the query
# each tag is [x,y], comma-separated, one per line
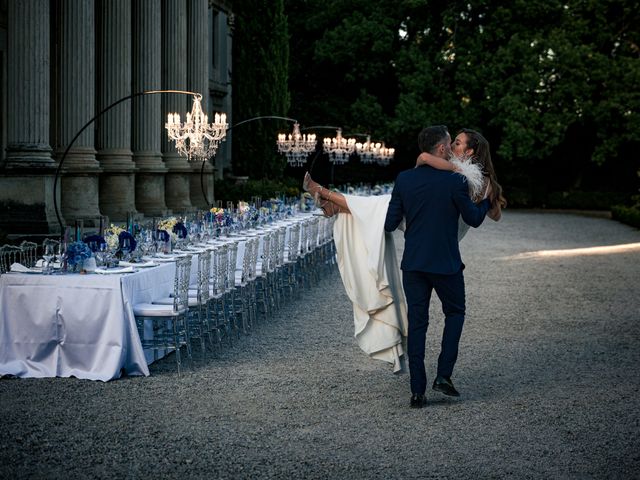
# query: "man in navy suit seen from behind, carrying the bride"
[431,201]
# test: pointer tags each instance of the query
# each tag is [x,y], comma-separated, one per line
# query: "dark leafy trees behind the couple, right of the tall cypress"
[552,84]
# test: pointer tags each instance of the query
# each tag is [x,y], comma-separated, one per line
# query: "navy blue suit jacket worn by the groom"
[431,200]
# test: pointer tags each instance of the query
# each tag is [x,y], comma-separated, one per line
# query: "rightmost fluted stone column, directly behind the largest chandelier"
[198,81]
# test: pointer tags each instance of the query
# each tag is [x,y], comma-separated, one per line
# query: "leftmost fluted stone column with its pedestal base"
[26,179]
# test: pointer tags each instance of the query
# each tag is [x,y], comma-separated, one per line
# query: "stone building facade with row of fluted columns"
[62,62]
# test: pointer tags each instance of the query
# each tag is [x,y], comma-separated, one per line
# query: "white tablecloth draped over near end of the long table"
[76,325]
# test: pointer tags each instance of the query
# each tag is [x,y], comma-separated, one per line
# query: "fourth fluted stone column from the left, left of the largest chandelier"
[148,121]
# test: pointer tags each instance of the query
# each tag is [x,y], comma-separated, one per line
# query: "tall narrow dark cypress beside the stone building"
[260,84]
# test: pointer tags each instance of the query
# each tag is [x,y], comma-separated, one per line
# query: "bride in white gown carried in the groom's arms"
[366,255]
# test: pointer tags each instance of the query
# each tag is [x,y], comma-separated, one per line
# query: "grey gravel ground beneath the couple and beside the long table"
[548,371]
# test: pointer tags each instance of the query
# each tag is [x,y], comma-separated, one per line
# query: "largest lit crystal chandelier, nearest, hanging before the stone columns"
[196,139]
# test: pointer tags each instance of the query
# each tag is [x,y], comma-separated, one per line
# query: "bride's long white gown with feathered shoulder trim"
[371,276]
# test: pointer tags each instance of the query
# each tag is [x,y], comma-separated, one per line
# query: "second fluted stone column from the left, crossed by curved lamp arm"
[75,106]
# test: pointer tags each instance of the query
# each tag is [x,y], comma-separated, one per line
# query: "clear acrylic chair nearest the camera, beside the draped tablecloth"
[168,322]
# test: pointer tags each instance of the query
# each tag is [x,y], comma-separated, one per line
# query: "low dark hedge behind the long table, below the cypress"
[227,190]
